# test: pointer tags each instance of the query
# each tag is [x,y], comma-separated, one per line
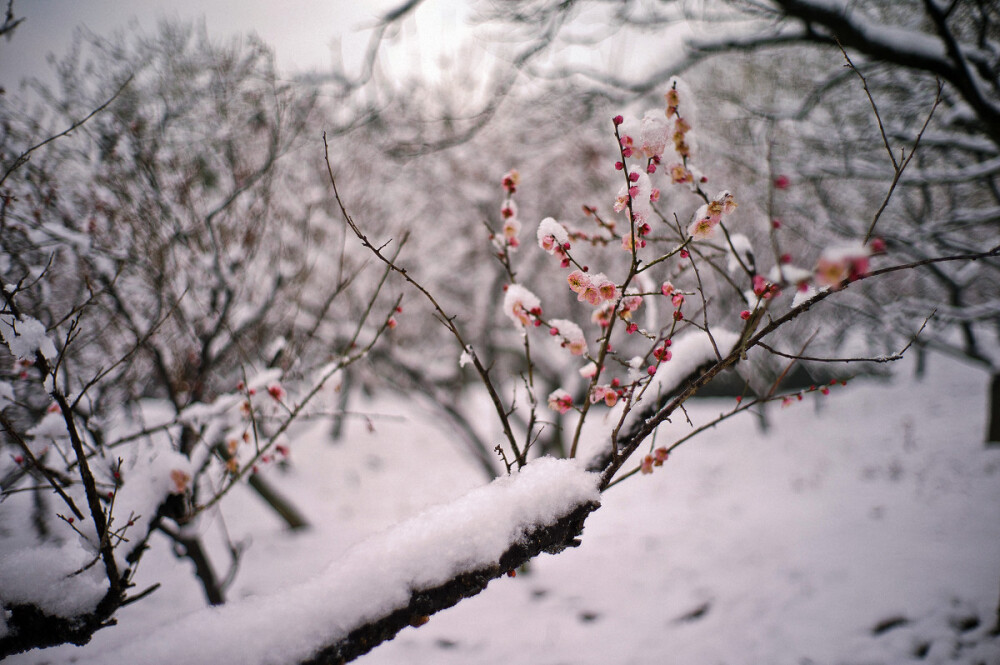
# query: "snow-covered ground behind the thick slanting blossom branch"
[862,528]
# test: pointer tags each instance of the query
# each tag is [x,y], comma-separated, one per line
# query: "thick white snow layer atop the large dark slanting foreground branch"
[374,577]
